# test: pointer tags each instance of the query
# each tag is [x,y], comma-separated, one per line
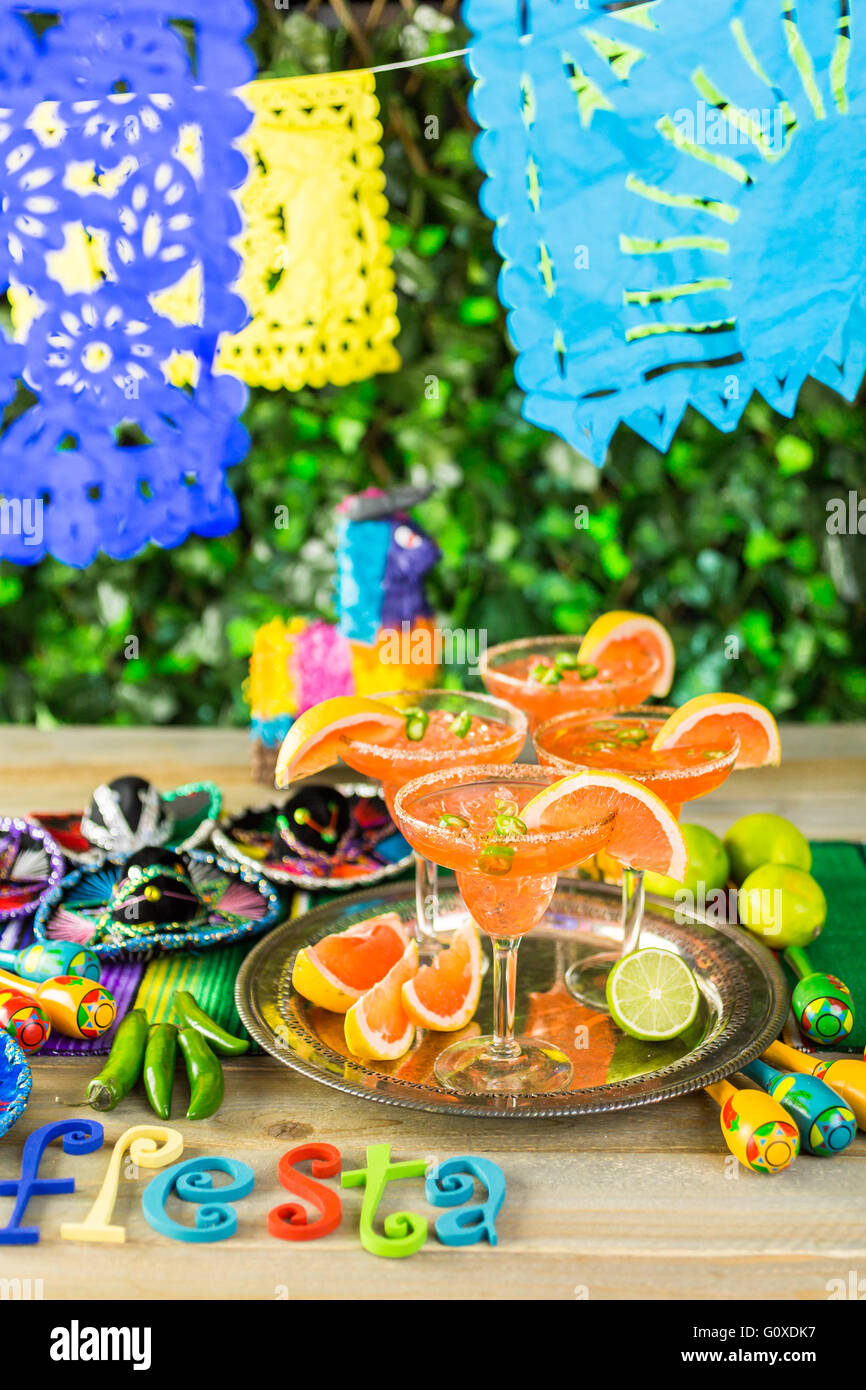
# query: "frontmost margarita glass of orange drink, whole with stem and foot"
[468,819]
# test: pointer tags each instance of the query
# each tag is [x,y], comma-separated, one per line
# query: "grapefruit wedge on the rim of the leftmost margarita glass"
[313,740]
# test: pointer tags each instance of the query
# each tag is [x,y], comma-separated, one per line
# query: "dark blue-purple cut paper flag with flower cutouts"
[109,201]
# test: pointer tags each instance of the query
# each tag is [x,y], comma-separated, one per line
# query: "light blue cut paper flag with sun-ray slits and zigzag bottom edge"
[678,205]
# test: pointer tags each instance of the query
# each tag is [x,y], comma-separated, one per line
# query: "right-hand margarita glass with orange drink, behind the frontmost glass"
[622,743]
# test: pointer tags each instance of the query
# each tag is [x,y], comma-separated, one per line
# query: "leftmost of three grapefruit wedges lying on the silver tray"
[340,970]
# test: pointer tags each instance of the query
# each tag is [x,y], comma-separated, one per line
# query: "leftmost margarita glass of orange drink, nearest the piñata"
[441,729]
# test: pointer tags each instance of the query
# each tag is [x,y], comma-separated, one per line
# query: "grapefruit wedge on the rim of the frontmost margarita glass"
[644,833]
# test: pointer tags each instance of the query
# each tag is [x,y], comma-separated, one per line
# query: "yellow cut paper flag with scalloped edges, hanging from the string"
[318,273]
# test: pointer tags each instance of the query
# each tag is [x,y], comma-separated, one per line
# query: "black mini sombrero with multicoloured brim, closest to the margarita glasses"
[322,837]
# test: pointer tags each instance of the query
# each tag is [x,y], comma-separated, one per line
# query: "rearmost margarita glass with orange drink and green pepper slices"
[543,676]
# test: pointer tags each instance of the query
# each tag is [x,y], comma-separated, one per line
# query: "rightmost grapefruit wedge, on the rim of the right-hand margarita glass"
[712,721]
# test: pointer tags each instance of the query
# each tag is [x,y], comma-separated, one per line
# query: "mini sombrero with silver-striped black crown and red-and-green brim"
[130,814]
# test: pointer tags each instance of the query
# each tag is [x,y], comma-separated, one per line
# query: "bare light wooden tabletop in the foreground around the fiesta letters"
[630,1206]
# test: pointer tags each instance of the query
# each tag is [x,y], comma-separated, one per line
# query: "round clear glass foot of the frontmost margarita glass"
[472,1070]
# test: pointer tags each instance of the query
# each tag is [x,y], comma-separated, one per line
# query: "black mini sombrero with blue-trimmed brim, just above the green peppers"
[158,900]
